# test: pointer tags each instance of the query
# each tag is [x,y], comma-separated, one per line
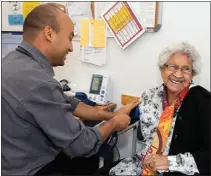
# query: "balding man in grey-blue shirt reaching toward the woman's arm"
[37,118]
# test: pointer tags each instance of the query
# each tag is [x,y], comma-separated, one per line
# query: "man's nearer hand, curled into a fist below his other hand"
[121,122]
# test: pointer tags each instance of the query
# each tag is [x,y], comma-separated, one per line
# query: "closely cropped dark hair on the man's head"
[39,17]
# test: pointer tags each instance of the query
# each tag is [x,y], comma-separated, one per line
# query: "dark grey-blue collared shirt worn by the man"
[37,119]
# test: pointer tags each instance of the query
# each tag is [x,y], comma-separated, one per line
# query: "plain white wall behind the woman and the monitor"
[134,69]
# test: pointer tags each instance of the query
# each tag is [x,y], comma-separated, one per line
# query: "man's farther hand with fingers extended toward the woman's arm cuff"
[128,107]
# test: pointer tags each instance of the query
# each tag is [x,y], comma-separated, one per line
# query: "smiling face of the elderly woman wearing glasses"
[177,73]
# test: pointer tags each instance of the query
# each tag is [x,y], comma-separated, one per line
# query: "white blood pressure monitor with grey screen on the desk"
[99,89]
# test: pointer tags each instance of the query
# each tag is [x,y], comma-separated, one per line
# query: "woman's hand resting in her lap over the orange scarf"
[156,162]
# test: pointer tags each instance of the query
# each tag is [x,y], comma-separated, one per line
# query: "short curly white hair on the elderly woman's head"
[183,48]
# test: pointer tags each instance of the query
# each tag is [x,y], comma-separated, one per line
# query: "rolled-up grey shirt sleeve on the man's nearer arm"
[49,108]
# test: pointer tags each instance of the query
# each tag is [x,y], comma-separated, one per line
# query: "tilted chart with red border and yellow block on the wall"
[123,23]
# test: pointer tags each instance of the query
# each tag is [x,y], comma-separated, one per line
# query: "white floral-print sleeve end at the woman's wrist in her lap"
[183,163]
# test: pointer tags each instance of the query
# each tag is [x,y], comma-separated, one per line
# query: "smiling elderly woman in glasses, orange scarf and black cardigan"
[174,121]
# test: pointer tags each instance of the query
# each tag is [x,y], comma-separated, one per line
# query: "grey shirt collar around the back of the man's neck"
[38,56]
